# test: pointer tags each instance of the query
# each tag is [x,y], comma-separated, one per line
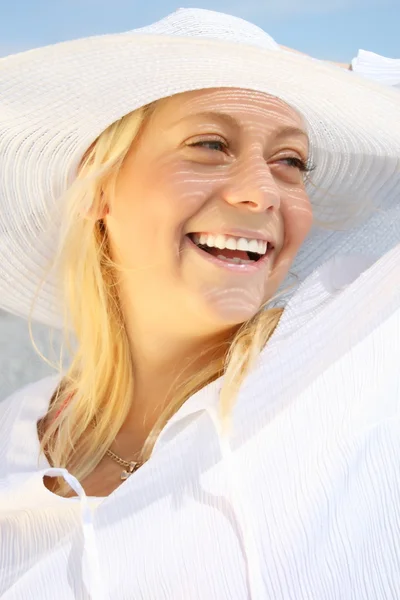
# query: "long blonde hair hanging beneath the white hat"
[98,386]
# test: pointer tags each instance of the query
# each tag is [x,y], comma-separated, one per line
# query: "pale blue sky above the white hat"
[326,29]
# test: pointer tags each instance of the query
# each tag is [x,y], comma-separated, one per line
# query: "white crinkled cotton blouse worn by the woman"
[301,501]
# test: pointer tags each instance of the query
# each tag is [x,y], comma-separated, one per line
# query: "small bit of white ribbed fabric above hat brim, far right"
[380,68]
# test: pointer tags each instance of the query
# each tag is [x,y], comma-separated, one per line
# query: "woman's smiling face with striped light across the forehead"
[210,209]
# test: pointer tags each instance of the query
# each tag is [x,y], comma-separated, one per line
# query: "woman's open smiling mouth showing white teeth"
[232,251]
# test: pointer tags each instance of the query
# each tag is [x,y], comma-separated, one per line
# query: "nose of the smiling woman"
[253,186]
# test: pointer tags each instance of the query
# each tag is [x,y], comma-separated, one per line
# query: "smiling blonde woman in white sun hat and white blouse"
[184,452]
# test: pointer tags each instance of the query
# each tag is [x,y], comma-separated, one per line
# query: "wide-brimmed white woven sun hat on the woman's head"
[55,101]
